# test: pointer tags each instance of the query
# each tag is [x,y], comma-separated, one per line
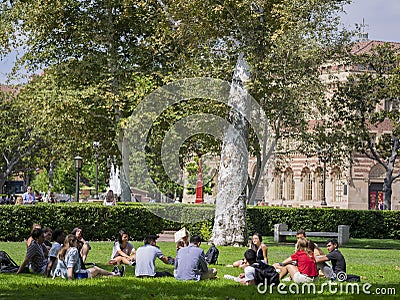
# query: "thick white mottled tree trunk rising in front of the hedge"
[230,212]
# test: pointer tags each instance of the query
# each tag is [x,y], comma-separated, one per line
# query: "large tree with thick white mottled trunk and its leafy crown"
[273,50]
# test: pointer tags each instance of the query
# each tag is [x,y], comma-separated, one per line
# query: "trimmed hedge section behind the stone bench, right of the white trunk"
[363,223]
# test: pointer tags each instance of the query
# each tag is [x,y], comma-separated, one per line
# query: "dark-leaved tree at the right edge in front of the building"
[367,102]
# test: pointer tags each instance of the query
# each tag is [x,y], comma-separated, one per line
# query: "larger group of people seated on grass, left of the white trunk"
[66,257]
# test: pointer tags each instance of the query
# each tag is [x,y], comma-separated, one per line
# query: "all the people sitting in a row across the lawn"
[66,258]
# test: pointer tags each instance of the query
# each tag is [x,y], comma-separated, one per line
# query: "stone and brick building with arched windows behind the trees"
[354,186]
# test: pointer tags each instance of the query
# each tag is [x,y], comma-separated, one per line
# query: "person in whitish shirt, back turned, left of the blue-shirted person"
[145,259]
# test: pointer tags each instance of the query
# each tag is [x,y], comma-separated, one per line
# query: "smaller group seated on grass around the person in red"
[305,265]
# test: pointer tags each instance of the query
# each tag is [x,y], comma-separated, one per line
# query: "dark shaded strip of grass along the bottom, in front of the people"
[133,288]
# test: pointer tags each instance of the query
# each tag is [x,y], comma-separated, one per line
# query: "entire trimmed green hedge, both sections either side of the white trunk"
[102,223]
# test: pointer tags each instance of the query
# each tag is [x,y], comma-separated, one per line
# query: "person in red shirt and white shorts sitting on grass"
[306,269]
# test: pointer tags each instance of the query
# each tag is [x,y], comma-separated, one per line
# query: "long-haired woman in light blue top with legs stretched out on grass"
[69,266]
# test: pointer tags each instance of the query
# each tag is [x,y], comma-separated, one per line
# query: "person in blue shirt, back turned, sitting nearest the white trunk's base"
[190,262]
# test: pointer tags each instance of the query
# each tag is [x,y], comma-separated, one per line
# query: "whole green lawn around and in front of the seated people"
[378,267]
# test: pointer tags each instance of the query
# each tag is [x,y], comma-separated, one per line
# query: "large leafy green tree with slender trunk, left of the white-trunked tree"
[99,54]
